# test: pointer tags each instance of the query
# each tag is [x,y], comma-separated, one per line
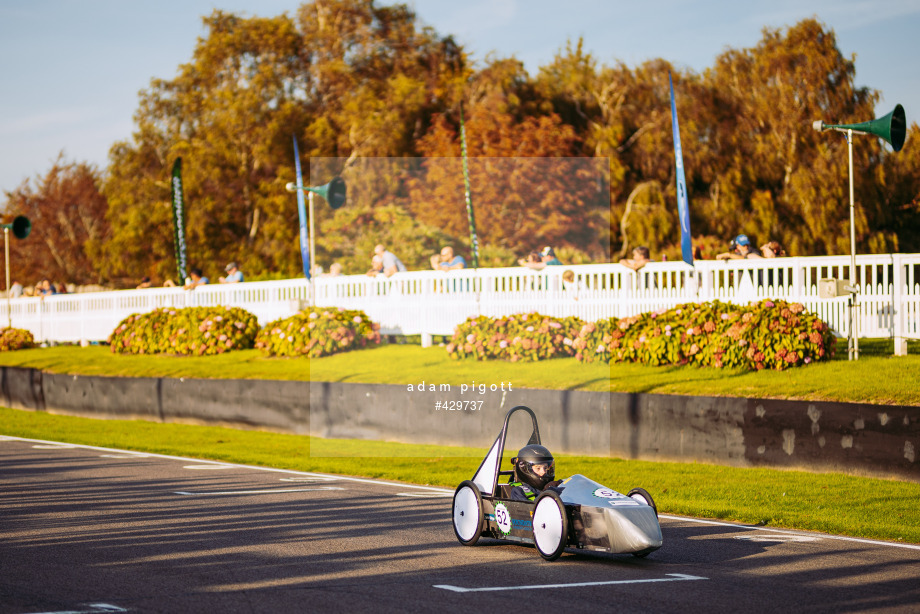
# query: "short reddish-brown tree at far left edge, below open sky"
[67,212]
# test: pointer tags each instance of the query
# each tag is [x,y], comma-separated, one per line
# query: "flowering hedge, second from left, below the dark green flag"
[193,331]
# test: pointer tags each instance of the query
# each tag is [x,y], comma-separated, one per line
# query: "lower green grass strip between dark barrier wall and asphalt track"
[827,502]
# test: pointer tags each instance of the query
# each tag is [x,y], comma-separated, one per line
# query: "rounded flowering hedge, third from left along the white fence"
[318,331]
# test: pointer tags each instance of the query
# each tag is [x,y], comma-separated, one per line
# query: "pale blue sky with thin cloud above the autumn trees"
[71,70]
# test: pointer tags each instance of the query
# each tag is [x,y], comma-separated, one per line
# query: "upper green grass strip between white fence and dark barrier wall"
[877,377]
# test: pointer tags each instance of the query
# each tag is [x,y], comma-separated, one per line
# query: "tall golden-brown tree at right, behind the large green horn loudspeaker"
[780,175]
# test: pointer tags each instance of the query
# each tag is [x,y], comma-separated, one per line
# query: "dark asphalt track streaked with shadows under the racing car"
[87,529]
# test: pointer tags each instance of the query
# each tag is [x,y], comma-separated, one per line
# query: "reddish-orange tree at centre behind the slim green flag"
[527,188]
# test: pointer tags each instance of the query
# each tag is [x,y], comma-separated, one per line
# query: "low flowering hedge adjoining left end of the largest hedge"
[527,337]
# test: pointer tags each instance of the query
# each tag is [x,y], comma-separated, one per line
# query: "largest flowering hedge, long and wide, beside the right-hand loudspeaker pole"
[766,335]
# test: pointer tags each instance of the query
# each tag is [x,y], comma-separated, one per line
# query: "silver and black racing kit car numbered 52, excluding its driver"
[578,513]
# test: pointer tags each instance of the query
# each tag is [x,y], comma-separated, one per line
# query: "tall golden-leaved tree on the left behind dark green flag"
[230,114]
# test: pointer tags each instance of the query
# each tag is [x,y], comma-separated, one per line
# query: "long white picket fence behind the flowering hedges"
[434,302]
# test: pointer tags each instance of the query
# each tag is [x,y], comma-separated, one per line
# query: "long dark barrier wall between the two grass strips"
[849,437]
